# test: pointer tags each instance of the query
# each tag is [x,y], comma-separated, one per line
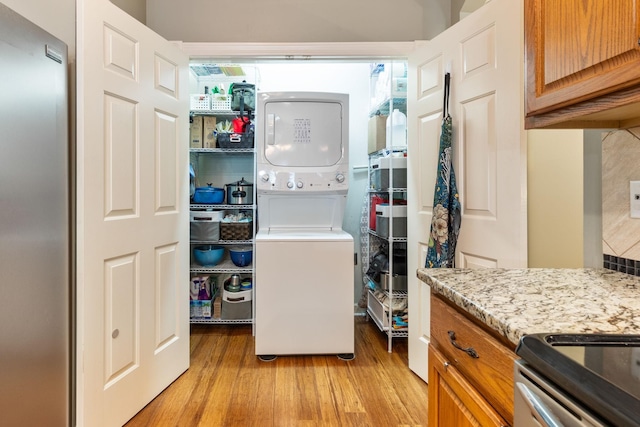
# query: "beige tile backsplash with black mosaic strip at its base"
[620,232]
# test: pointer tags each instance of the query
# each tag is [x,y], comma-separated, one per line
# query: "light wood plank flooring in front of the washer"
[227,385]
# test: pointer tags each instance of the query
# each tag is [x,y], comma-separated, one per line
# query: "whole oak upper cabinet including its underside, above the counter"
[582,63]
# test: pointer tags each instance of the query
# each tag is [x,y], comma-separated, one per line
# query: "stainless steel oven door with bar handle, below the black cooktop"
[537,403]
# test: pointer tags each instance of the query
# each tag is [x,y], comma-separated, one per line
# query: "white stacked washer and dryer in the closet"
[304,263]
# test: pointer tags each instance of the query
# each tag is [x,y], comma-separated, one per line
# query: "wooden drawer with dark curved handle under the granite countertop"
[491,373]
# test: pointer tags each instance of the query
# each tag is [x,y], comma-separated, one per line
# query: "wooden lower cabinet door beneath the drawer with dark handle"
[453,401]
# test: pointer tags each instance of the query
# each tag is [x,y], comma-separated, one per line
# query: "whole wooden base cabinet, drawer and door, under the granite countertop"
[470,371]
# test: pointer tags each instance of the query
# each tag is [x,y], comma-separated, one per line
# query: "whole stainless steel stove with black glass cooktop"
[578,380]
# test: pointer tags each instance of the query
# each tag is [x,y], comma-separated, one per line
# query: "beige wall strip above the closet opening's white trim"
[298,20]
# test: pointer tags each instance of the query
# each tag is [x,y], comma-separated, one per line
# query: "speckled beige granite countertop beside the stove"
[516,302]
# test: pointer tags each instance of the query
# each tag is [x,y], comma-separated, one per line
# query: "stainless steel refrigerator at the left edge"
[35,292]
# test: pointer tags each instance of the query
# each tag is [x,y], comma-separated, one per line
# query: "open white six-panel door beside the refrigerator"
[132,214]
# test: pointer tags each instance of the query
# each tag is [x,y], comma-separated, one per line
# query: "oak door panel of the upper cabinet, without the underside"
[579,49]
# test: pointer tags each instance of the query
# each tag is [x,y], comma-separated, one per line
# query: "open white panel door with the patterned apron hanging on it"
[483,53]
